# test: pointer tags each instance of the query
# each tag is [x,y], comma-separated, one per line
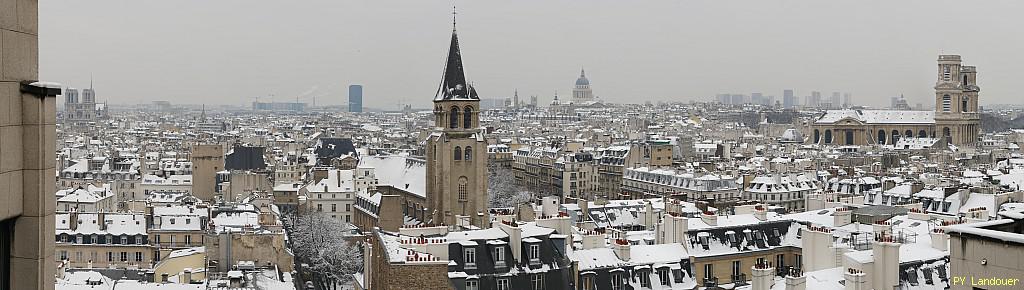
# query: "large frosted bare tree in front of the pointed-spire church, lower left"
[320,241]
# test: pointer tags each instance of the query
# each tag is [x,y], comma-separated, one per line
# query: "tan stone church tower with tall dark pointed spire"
[456,153]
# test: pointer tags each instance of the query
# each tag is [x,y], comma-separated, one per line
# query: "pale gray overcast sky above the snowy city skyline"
[194,52]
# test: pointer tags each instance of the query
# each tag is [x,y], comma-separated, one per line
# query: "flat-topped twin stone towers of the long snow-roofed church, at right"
[957,116]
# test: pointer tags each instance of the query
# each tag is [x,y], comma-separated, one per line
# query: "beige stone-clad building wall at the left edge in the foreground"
[28,134]
